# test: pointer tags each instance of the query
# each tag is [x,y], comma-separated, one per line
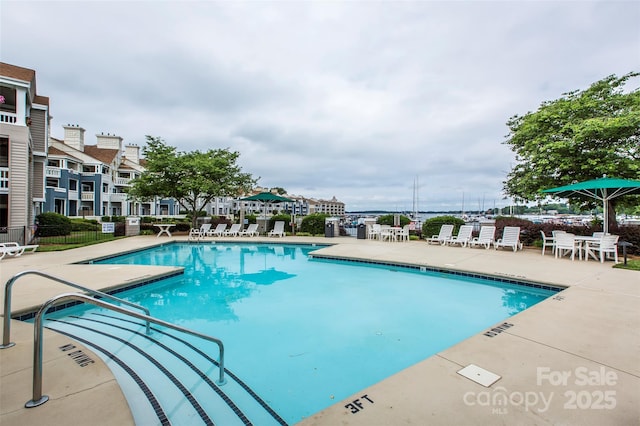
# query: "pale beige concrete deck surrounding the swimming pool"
[573,359]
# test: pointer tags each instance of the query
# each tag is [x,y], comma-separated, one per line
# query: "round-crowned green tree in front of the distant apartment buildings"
[192,178]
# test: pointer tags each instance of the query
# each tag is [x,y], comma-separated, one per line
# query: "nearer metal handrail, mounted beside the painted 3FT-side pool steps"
[38,398]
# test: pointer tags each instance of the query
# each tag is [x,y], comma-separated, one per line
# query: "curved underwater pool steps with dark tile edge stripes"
[166,378]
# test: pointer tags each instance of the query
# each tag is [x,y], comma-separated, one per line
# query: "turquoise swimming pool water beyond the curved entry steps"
[303,334]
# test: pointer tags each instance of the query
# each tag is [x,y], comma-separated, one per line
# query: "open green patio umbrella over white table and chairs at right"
[604,189]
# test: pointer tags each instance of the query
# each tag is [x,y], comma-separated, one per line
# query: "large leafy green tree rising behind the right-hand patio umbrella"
[581,136]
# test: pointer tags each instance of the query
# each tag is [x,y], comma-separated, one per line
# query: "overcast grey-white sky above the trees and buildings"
[348,99]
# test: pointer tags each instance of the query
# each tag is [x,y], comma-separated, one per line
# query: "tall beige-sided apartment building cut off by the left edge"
[24,141]
